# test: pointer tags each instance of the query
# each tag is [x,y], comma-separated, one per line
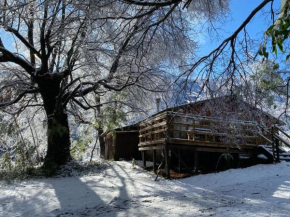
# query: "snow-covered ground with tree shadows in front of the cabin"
[119,190]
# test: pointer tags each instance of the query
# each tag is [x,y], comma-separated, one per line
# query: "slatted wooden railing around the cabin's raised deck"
[193,130]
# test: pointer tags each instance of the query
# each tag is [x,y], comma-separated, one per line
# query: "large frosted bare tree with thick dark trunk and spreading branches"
[59,54]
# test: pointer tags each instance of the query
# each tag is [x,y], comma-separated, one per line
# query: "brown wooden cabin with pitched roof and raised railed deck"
[198,134]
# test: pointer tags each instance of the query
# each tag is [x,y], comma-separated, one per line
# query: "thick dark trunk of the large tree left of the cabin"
[58,132]
